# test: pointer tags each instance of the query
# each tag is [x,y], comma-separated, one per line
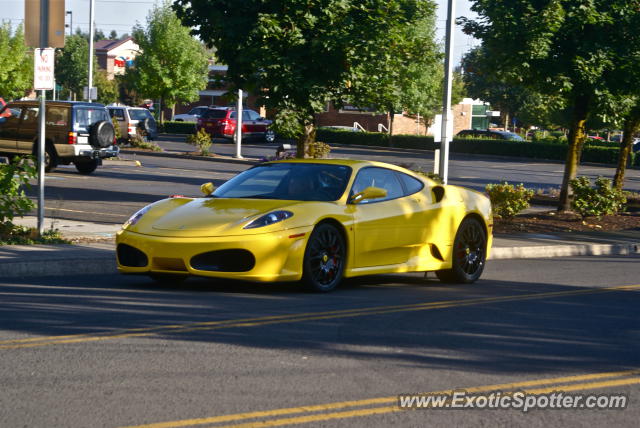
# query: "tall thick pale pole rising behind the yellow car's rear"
[447,117]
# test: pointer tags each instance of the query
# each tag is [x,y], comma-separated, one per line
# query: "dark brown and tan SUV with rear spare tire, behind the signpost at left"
[77,132]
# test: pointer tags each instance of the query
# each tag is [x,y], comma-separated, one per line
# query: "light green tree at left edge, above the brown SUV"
[16,64]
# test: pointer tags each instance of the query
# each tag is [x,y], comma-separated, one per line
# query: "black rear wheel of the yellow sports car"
[469,254]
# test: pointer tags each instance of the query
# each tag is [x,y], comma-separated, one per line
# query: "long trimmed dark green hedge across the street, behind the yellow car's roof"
[525,149]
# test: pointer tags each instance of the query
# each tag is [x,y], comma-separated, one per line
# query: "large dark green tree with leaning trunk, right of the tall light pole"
[557,48]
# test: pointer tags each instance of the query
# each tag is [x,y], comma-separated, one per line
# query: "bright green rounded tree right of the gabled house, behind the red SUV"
[172,65]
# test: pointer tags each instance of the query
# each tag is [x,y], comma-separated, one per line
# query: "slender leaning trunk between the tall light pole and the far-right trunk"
[577,136]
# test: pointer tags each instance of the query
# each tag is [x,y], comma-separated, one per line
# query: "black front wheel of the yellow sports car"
[324,259]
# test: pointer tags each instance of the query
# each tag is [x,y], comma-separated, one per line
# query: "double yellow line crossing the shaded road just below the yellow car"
[302,317]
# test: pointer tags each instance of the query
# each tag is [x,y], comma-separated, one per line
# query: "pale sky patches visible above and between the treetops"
[122,15]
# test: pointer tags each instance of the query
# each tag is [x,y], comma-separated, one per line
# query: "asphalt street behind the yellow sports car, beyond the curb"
[117,190]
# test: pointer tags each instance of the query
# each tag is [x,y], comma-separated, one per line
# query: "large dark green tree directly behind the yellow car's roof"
[302,54]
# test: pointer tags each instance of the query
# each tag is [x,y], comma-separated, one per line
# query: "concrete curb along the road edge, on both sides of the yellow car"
[102,262]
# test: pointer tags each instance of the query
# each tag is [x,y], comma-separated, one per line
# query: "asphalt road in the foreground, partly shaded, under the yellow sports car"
[122,351]
